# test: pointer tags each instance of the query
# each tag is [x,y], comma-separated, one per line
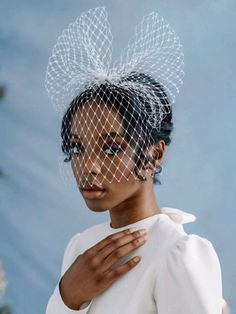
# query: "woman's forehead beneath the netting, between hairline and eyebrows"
[96,116]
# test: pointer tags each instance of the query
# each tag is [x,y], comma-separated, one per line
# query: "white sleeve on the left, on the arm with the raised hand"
[55,304]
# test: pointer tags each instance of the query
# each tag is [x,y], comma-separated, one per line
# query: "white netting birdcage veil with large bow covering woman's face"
[120,107]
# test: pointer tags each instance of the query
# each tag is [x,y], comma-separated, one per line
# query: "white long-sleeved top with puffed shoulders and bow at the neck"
[178,273]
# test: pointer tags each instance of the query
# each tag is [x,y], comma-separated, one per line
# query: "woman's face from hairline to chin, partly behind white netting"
[102,156]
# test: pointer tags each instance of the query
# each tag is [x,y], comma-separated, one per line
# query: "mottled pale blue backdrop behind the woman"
[39,211]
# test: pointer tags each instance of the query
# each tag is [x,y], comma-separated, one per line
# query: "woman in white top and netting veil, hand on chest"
[114,134]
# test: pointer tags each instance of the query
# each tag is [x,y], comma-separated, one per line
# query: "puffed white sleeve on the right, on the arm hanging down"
[189,279]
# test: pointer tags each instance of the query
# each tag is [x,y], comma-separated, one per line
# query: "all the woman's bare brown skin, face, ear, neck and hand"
[93,271]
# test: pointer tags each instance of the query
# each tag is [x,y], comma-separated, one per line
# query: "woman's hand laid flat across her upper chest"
[91,273]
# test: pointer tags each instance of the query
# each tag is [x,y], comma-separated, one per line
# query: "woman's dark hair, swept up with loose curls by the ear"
[134,117]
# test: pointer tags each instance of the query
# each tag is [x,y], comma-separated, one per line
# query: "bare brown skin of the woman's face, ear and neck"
[128,201]
